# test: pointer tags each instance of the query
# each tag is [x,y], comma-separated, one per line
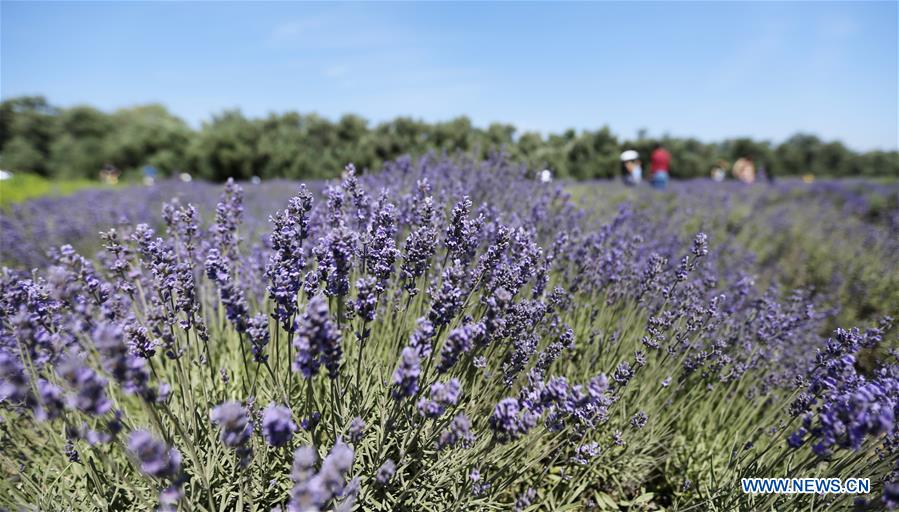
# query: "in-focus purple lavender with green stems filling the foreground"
[444,334]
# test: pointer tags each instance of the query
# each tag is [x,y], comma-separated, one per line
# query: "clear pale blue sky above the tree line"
[707,69]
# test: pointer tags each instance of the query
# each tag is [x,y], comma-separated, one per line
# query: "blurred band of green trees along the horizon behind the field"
[55,142]
